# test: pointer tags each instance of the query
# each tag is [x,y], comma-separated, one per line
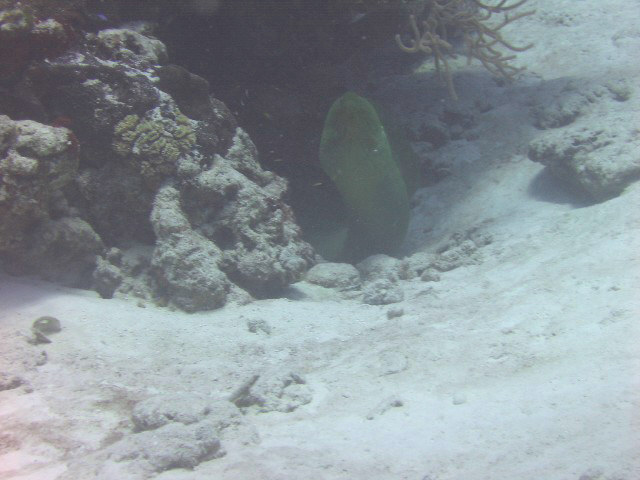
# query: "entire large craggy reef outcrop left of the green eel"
[149,161]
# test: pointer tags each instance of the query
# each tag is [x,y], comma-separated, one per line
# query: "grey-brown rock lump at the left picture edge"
[39,231]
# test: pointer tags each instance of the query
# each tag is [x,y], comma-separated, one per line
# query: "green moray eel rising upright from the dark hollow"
[358,156]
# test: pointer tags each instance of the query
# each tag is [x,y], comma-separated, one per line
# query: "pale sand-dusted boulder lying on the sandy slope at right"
[593,154]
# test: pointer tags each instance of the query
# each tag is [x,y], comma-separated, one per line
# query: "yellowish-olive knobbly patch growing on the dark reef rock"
[154,142]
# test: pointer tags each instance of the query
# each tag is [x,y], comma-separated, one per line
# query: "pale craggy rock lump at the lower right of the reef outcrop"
[223,225]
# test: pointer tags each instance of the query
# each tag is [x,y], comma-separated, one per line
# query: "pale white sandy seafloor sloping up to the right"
[523,366]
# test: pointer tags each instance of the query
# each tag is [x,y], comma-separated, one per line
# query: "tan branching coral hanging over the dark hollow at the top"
[482,38]
